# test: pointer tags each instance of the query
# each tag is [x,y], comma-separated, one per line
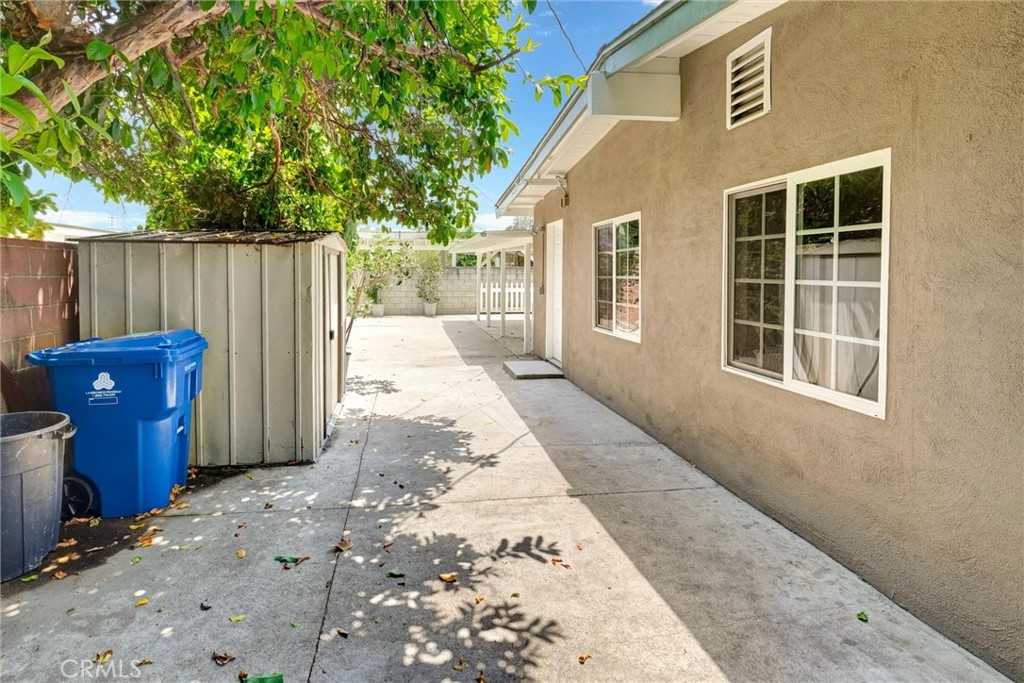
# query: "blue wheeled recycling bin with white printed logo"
[131,399]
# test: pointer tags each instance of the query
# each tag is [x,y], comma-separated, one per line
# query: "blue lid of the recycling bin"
[163,347]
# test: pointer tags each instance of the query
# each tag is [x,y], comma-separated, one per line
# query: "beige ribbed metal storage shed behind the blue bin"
[272,307]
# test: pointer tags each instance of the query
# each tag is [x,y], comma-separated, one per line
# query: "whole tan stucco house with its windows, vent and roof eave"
[787,239]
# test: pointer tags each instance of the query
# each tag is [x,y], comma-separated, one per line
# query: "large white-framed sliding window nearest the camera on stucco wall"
[806,281]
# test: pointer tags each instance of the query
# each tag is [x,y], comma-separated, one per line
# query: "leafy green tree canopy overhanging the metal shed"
[264,114]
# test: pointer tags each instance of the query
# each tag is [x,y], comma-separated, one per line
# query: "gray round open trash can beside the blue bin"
[31,472]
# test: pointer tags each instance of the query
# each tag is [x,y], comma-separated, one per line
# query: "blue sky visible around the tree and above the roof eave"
[590,24]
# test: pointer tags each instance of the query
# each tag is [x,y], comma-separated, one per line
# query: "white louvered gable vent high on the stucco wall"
[748,91]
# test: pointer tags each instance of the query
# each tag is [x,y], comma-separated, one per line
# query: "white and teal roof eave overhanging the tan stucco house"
[634,78]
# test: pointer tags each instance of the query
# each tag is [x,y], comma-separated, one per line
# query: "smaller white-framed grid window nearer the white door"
[617,277]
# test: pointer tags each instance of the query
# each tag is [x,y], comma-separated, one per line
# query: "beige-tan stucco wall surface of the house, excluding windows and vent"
[928,505]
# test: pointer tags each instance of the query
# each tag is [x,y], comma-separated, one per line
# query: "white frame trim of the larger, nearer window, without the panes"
[881,158]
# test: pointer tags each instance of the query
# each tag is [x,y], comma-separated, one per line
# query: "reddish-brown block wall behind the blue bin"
[38,309]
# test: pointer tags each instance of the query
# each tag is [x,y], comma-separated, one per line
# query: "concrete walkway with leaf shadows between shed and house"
[574,536]
